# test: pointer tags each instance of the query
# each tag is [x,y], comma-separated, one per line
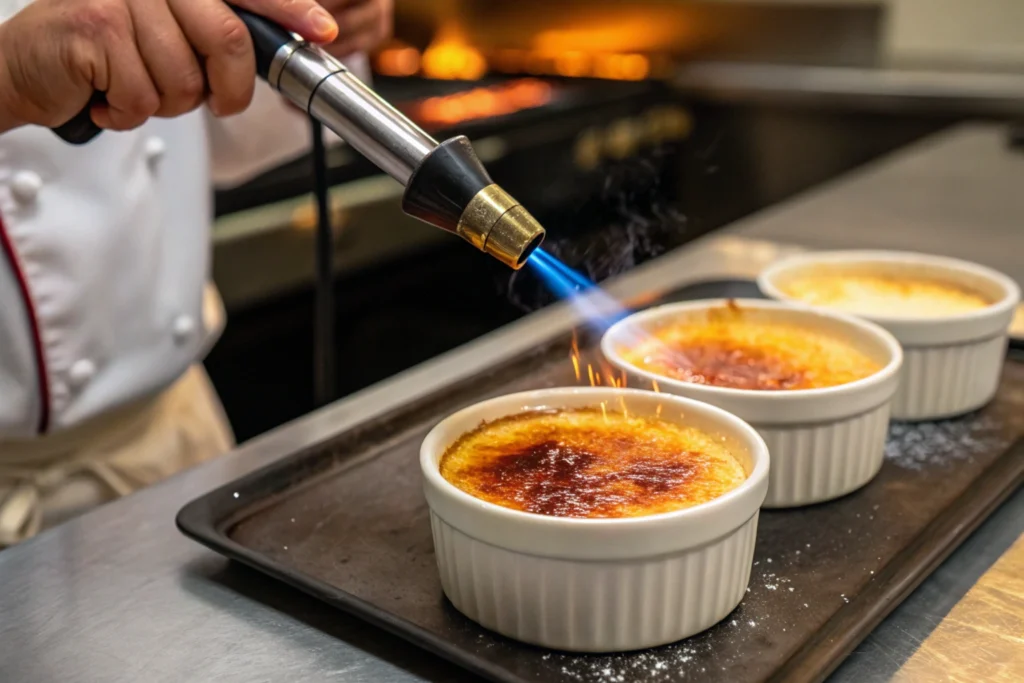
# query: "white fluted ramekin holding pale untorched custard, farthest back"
[952,364]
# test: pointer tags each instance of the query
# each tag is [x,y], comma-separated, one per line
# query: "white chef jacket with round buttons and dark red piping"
[105,255]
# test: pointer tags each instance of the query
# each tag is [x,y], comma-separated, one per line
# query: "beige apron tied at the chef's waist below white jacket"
[48,481]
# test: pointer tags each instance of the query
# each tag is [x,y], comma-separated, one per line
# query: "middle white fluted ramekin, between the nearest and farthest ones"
[824,443]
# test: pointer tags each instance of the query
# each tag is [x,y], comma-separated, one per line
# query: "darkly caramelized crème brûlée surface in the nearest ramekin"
[590,462]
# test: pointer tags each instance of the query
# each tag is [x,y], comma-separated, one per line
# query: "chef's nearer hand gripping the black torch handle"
[152,58]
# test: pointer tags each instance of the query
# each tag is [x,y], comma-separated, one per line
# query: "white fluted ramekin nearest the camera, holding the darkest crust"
[595,585]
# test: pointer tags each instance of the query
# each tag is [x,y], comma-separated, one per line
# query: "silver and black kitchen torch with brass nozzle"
[446,184]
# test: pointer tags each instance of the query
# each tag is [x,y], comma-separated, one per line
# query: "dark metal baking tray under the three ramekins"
[347,522]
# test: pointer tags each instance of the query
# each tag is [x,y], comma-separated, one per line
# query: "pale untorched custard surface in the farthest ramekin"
[891,295]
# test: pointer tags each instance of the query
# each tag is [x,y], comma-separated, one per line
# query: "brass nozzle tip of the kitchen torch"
[497,225]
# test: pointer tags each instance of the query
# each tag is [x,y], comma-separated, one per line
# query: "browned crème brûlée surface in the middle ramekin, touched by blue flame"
[733,350]
